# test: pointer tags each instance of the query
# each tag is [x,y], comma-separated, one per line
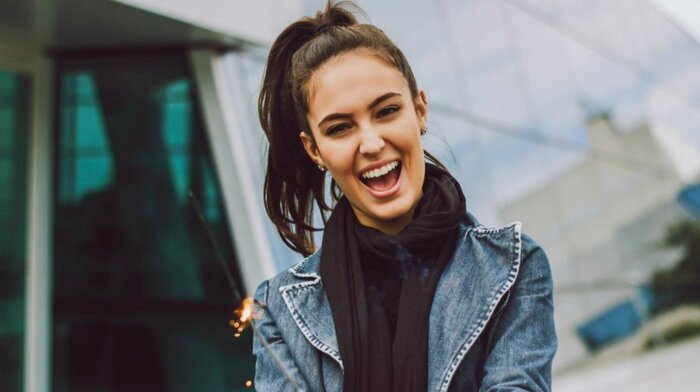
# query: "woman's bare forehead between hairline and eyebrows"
[352,79]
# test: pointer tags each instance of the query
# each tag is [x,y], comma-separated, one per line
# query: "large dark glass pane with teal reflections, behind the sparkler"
[141,301]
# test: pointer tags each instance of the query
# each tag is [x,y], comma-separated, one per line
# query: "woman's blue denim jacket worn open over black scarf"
[491,324]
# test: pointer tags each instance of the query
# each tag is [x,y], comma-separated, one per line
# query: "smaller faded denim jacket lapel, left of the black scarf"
[308,304]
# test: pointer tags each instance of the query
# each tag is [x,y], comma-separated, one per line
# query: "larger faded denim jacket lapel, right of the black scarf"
[465,300]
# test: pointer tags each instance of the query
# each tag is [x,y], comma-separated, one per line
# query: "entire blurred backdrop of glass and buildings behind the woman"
[580,118]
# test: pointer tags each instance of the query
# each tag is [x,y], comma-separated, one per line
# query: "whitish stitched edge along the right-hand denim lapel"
[512,275]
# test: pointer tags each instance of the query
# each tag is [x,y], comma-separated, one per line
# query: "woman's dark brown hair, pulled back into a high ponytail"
[293,182]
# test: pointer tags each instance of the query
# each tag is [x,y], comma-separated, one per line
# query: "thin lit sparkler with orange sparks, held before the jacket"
[244,314]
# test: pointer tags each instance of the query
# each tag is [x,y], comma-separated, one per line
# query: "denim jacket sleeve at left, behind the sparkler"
[275,369]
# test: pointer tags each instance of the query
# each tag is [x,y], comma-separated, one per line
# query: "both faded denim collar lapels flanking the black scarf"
[467,295]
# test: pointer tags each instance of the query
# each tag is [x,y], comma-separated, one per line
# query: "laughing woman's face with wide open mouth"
[366,131]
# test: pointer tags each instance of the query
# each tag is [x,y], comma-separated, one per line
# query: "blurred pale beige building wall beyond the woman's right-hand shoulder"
[602,225]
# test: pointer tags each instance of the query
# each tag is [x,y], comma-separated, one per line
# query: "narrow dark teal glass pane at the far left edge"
[14,94]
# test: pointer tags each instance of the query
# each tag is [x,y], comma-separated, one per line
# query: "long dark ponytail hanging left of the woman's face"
[292,182]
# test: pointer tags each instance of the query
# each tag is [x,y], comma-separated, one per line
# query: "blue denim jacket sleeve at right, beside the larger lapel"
[524,340]
